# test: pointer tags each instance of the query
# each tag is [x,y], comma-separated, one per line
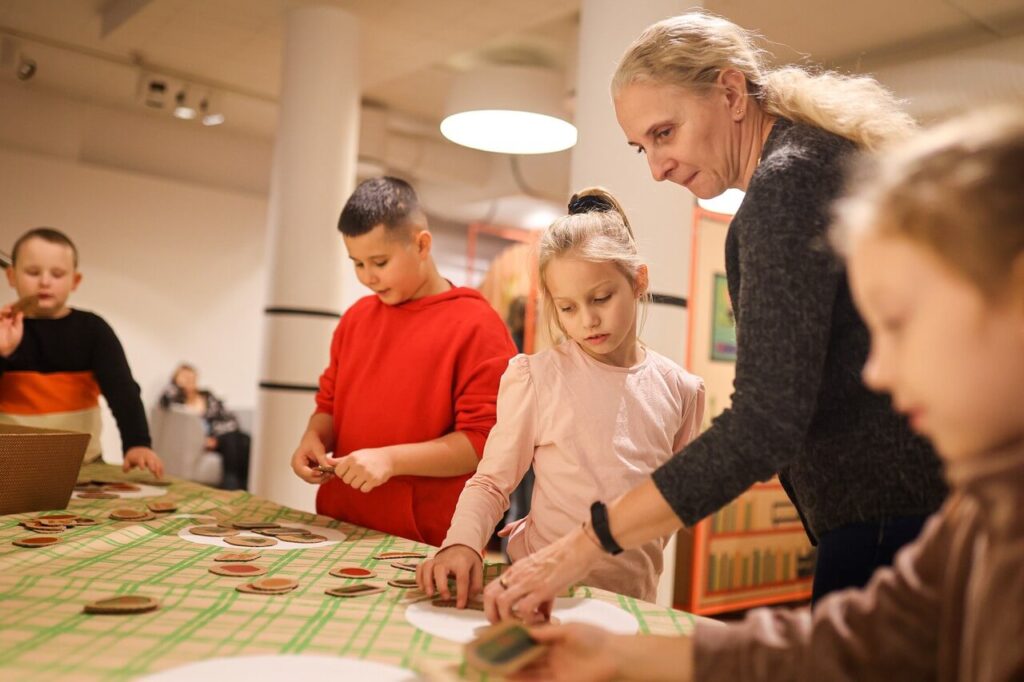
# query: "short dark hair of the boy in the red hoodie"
[380,201]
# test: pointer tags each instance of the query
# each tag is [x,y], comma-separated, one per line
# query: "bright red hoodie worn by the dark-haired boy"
[411,373]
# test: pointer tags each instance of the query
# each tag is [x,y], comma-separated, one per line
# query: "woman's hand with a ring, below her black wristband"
[527,591]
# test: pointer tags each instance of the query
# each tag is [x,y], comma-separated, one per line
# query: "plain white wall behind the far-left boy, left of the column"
[177,269]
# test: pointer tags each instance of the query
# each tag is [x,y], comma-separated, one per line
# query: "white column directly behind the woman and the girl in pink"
[661,214]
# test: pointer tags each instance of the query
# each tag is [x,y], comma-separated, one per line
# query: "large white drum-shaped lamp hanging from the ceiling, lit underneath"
[508,110]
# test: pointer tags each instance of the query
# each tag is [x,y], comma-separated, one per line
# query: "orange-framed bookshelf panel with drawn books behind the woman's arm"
[754,551]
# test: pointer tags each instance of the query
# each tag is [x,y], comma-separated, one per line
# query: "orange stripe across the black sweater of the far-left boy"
[37,394]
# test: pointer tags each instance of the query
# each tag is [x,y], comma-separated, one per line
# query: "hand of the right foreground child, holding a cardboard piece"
[576,652]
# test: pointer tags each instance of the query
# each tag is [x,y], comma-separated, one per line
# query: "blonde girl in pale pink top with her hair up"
[560,410]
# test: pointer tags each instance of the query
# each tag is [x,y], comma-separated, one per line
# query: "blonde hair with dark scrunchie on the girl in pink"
[595,230]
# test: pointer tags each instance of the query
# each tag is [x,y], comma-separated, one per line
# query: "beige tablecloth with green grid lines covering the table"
[45,635]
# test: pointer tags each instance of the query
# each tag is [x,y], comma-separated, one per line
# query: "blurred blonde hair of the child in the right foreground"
[957,190]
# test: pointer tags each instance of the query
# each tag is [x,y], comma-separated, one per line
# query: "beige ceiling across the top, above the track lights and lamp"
[410,50]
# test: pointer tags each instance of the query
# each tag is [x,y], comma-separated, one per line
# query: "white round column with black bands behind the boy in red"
[309,282]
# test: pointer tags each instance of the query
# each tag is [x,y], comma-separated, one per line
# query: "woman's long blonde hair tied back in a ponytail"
[691,52]
